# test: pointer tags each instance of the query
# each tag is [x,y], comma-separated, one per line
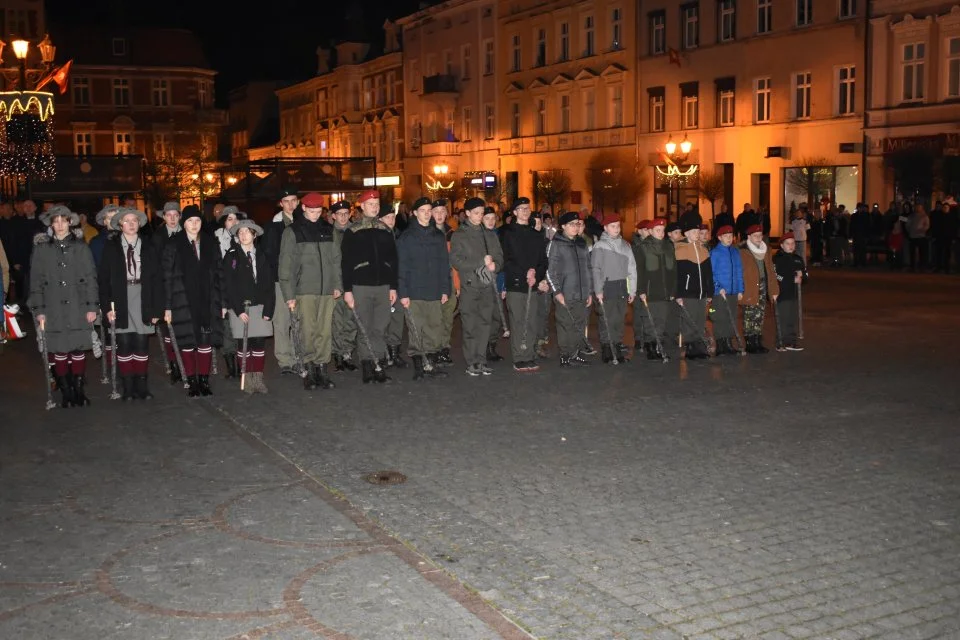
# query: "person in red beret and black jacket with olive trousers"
[369,265]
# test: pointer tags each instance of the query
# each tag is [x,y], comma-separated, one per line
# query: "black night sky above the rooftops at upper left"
[278,43]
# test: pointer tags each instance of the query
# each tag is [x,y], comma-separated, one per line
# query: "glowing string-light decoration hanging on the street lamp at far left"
[26,135]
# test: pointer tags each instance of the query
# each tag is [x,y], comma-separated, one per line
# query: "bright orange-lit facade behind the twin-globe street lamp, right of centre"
[760,90]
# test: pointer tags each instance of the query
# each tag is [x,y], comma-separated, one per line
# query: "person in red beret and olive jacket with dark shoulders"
[310,283]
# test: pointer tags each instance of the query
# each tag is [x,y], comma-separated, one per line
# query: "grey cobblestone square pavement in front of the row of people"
[790,495]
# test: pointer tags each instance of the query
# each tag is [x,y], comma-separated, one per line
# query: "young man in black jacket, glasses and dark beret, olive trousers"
[525,269]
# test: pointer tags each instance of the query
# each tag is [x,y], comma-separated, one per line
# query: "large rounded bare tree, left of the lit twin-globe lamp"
[615,180]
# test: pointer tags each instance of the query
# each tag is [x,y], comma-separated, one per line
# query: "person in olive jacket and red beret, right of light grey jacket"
[656,287]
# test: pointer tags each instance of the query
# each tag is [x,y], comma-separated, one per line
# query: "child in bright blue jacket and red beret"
[727,291]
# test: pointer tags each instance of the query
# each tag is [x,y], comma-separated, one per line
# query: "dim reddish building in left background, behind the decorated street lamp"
[127,96]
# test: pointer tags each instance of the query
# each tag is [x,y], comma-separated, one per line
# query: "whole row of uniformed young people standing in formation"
[341,285]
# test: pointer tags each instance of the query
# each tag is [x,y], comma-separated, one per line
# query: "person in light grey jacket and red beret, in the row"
[614,285]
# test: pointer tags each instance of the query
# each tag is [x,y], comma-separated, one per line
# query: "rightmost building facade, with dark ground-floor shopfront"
[913,113]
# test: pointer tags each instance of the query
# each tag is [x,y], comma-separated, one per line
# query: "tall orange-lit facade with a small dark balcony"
[450,99]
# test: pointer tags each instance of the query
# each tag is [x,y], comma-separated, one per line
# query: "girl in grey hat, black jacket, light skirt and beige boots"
[250,299]
